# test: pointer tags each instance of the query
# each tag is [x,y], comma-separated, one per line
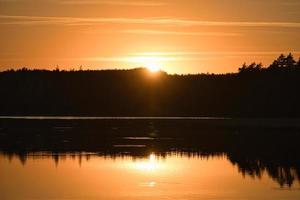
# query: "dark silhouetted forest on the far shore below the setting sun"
[254,91]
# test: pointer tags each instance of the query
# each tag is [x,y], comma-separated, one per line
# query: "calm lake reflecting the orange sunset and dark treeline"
[149,158]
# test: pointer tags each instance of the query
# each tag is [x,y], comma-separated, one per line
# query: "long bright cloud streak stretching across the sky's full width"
[41,20]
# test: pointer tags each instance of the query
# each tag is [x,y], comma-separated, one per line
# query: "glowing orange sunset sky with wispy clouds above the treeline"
[179,36]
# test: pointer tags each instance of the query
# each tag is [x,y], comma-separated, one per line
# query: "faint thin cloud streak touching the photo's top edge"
[113,2]
